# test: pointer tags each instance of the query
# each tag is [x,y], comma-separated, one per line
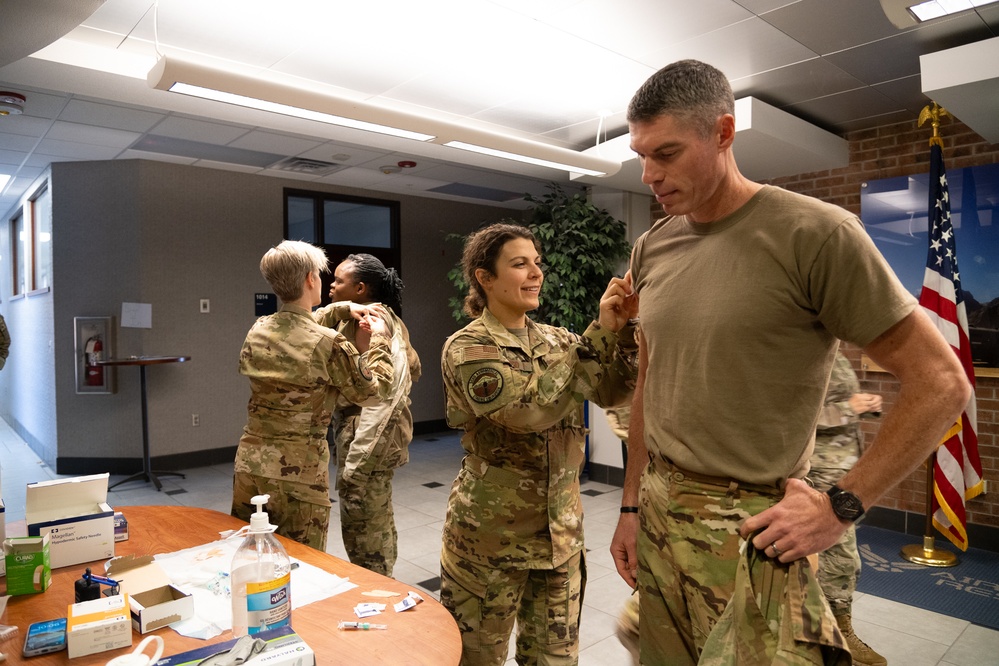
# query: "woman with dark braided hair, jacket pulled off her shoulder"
[372,441]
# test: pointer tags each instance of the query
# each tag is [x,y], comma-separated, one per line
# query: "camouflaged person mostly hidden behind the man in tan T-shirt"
[838,445]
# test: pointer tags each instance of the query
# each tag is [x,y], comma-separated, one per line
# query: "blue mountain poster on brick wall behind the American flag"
[895,212]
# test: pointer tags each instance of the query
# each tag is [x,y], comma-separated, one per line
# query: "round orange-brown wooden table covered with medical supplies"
[422,636]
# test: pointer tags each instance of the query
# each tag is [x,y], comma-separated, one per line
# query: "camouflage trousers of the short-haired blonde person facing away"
[297,509]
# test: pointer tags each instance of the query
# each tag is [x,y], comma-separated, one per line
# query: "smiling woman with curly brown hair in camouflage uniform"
[513,534]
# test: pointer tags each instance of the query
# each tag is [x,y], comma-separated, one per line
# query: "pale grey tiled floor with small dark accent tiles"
[905,635]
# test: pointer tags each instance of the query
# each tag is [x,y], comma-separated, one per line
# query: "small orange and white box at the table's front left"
[98,625]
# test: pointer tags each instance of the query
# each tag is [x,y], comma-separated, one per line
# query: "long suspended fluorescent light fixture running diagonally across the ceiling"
[310,101]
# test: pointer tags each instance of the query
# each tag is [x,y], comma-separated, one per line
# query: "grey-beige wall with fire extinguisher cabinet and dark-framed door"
[170,235]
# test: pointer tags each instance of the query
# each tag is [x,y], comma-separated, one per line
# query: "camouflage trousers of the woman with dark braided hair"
[367,521]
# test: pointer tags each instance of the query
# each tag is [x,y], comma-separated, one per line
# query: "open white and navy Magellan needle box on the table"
[75,514]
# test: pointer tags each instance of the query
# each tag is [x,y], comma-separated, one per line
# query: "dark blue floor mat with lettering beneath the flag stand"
[968,590]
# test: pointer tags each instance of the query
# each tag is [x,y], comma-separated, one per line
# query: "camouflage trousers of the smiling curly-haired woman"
[486,601]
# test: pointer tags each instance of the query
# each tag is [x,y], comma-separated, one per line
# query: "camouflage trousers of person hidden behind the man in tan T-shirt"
[839,565]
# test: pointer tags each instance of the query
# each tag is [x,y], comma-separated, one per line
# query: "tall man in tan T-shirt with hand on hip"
[744,290]
